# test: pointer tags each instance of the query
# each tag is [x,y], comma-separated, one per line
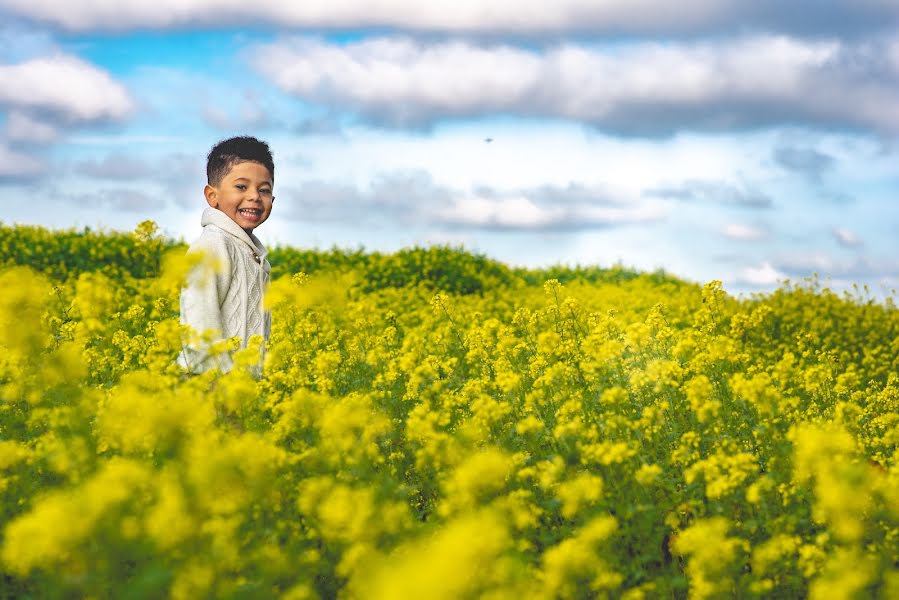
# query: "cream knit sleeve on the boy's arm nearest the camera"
[201,303]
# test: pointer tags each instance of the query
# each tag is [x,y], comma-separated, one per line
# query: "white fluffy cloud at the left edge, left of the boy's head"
[64,86]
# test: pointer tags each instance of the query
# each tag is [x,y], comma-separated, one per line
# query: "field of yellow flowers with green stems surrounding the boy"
[434,425]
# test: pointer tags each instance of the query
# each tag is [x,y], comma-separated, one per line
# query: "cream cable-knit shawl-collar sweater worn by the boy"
[227,300]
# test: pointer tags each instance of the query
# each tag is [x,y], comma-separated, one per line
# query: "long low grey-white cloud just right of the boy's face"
[413,198]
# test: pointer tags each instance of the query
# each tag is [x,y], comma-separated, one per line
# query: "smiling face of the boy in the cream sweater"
[244,194]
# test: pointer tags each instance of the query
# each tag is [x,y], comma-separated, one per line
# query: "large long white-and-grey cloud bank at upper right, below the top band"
[639,88]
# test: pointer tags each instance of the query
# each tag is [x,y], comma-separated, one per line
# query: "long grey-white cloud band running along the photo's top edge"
[523,17]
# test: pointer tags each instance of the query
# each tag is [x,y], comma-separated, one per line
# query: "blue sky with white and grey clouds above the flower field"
[749,142]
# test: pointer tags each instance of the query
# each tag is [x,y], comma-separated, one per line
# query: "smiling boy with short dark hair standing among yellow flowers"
[228,299]
